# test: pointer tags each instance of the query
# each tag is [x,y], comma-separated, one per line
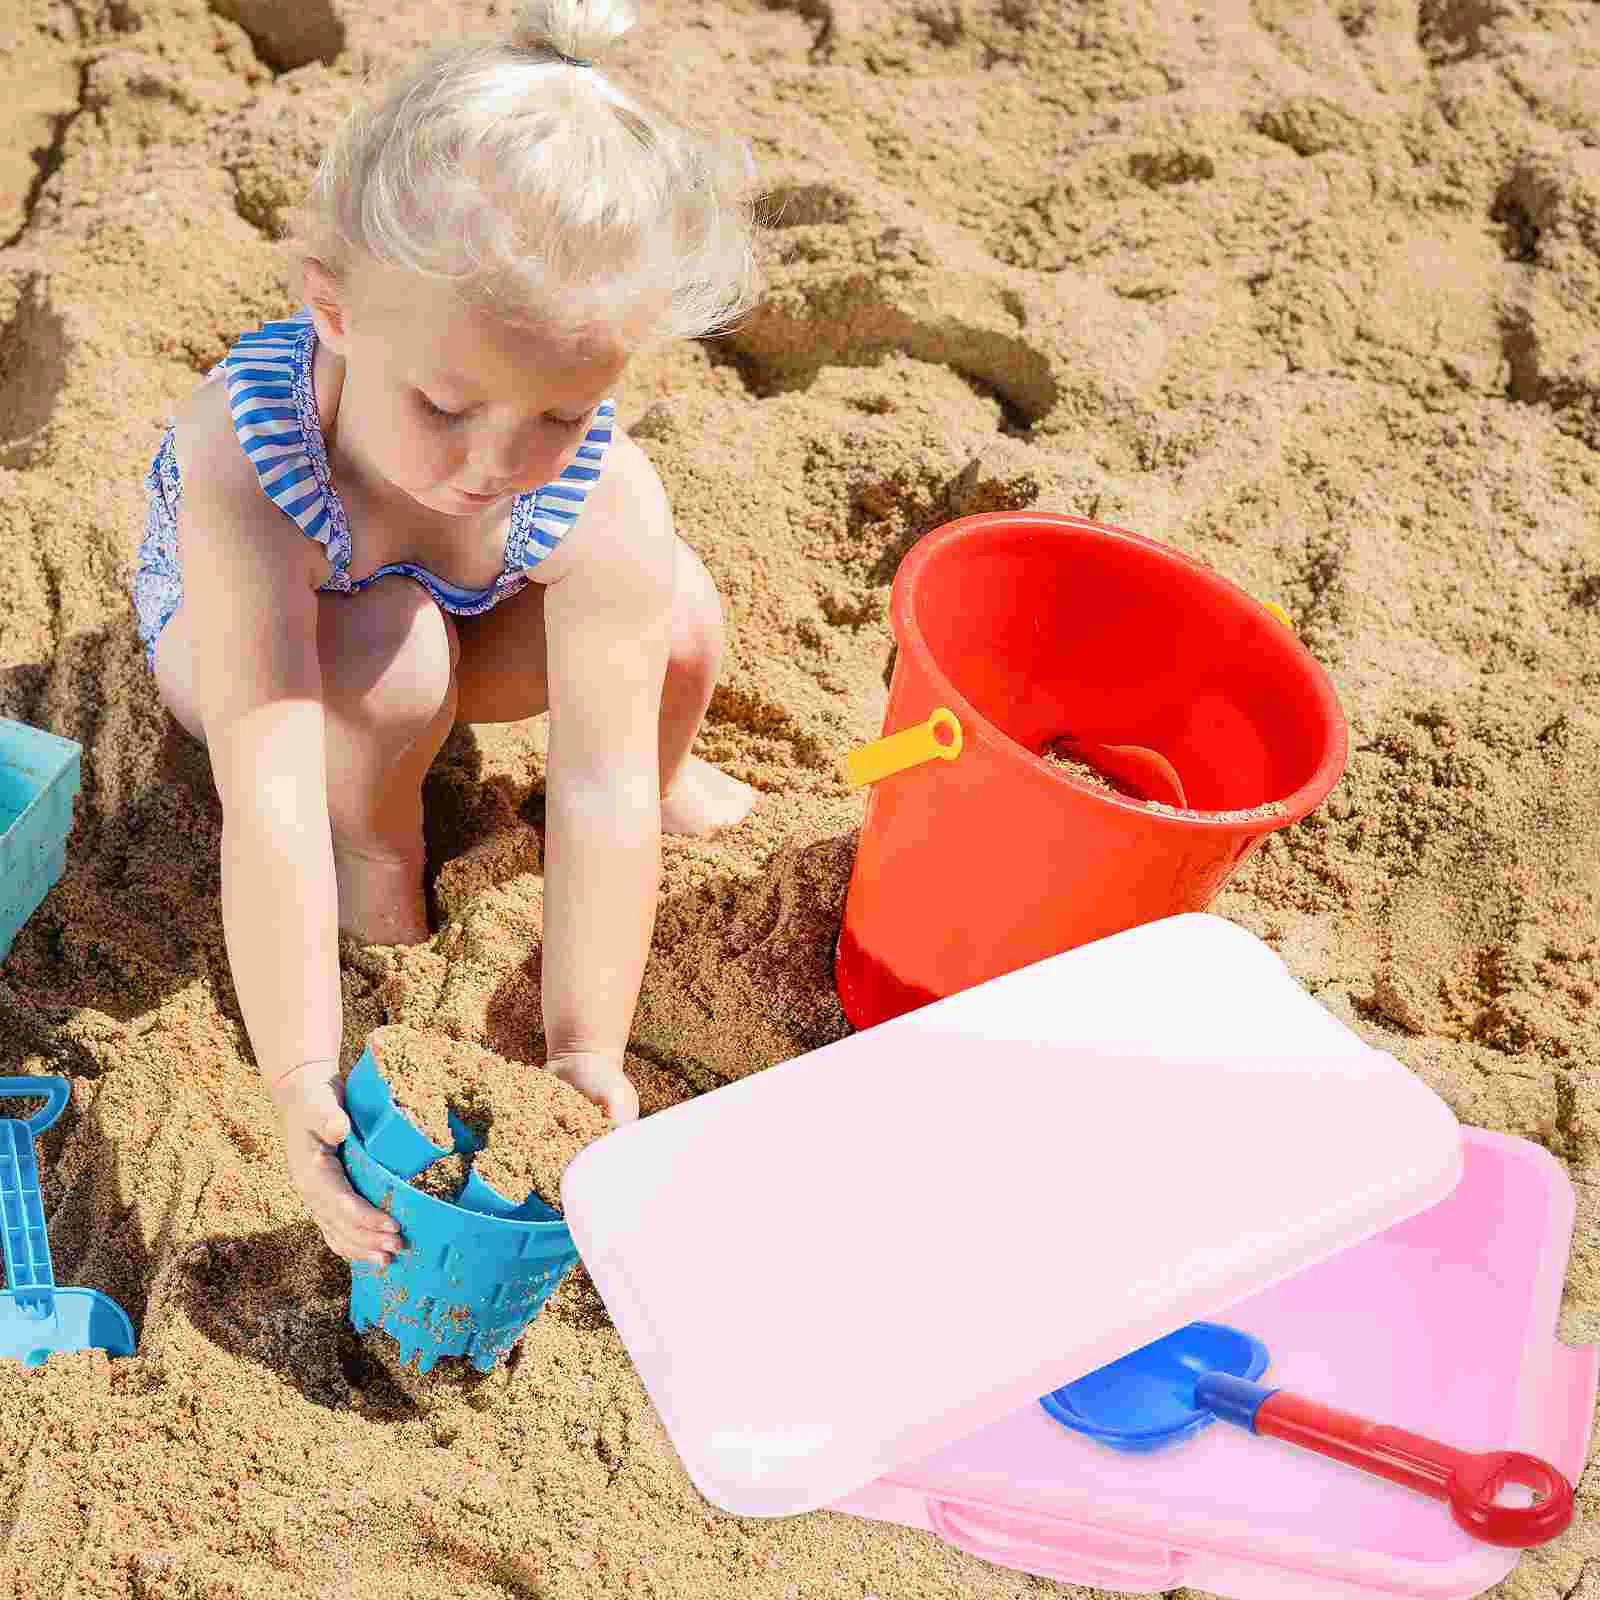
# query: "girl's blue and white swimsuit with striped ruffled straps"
[274,406]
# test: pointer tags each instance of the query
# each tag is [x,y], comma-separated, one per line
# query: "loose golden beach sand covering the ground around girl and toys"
[1303,287]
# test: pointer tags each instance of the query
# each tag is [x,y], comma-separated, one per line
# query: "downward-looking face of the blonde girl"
[458,409]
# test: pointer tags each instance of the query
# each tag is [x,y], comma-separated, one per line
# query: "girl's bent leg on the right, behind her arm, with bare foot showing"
[503,679]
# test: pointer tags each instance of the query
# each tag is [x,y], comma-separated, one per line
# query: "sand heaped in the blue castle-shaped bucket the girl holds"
[534,1124]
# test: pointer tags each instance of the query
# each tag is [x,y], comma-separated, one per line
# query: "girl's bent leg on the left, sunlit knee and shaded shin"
[390,695]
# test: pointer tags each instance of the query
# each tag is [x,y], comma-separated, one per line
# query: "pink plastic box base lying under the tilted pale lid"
[1444,1322]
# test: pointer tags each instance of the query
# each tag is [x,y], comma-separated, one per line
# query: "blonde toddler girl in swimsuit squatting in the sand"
[412,505]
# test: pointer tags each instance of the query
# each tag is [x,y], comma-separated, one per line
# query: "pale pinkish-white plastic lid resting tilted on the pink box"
[850,1260]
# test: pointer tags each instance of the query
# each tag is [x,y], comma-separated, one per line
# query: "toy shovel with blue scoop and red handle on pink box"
[1207,1372]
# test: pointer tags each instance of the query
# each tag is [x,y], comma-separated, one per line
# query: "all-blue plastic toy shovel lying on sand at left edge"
[36,1318]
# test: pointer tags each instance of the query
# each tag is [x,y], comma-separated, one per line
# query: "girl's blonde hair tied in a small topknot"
[527,178]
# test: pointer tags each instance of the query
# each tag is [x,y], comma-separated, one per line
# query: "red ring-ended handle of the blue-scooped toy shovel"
[1468,1482]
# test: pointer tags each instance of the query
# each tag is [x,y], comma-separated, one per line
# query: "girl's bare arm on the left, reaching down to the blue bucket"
[257,682]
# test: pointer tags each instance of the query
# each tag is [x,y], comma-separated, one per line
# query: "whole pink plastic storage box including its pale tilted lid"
[849,1279]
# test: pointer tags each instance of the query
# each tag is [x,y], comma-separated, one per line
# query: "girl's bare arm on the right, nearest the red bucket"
[609,630]
